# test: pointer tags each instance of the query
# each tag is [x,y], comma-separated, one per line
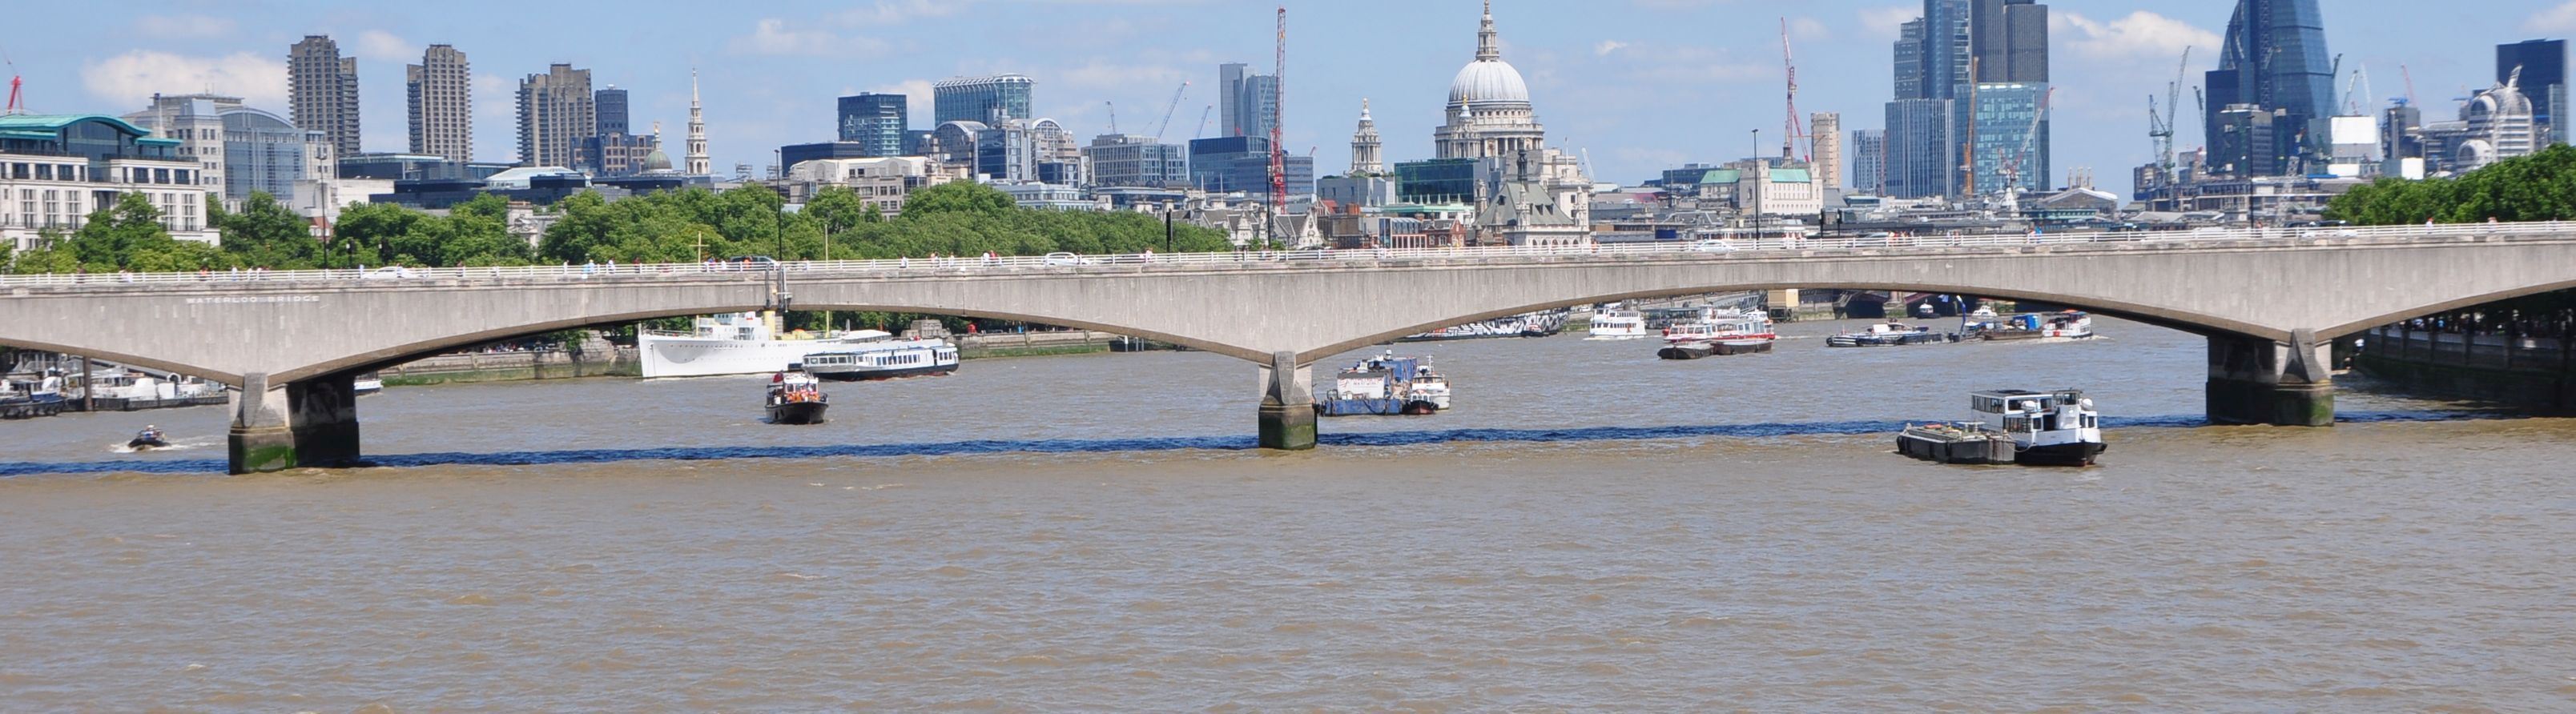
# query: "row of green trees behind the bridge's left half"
[661,228]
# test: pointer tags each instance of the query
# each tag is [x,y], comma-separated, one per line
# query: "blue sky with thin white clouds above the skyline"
[1634,84]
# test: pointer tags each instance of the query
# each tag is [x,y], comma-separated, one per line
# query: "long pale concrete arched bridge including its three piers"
[2268,300]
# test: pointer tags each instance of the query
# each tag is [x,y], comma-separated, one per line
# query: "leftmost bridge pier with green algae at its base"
[303,424]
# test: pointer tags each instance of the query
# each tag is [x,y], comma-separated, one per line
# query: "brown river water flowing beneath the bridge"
[1588,530]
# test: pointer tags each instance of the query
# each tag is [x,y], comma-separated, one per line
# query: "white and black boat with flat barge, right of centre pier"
[2013,427]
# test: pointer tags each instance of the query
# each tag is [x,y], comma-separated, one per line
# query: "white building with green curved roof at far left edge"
[61,169]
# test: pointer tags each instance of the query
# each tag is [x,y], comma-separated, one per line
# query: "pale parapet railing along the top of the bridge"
[1269,259]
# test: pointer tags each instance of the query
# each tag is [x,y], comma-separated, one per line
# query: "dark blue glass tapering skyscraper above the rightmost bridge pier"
[2273,63]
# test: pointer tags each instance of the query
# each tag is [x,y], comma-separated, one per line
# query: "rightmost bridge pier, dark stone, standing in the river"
[2271,383]
